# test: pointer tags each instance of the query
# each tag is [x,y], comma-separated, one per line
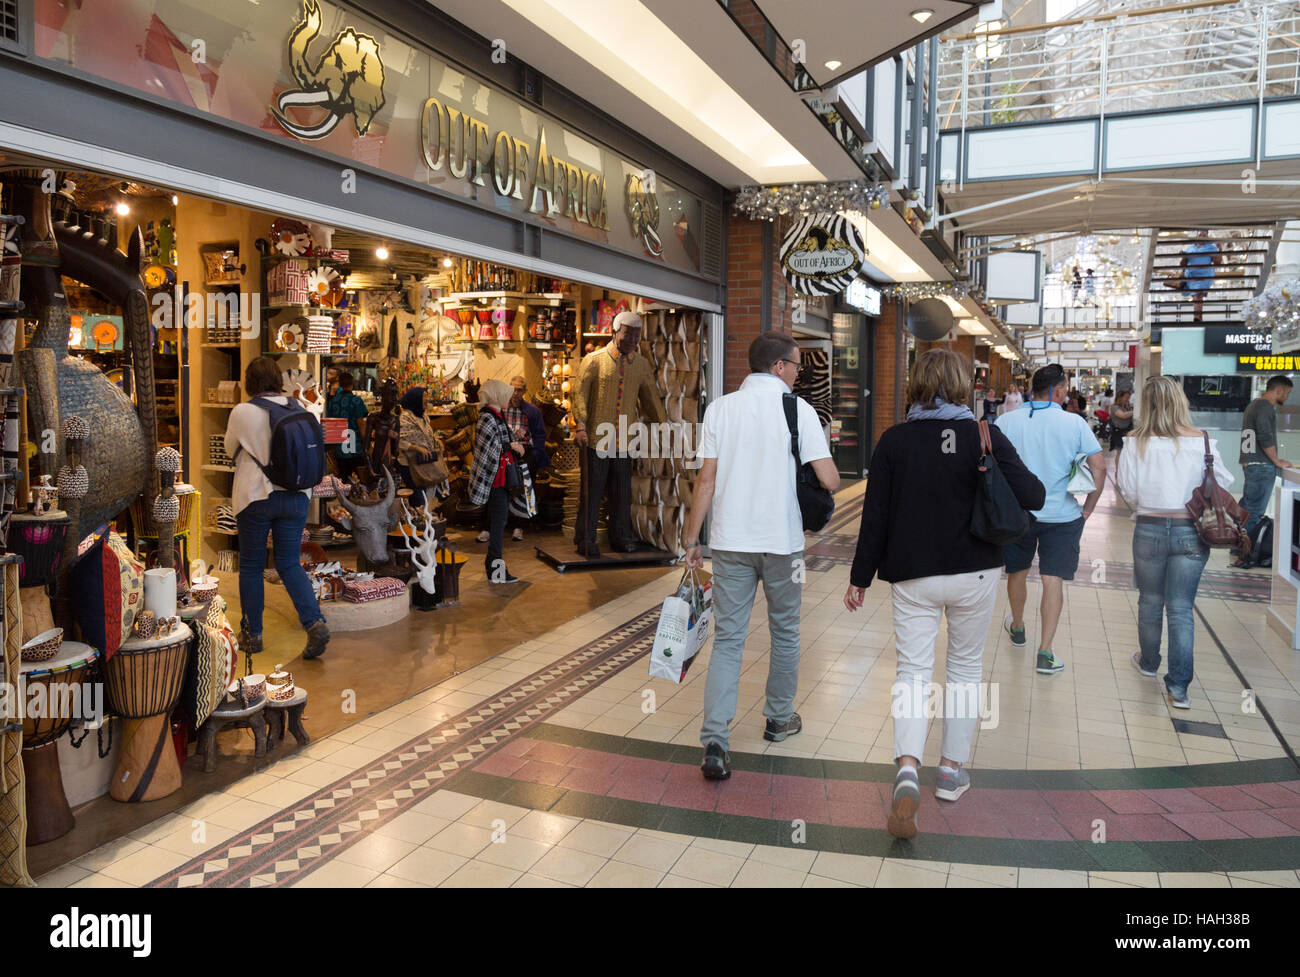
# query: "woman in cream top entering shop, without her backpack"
[262,509]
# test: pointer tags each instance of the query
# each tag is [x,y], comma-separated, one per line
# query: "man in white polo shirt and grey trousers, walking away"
[756,535]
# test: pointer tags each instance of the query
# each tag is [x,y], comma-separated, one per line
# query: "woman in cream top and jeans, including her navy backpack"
[263,507]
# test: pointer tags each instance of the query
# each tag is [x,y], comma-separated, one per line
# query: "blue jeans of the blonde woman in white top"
[1168,563]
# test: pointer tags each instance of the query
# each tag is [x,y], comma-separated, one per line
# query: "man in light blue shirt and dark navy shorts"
[1048,441]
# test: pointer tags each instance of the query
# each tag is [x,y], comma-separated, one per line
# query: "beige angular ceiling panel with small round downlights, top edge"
[856,34]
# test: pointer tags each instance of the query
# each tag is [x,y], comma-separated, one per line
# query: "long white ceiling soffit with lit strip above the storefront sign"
[679,72]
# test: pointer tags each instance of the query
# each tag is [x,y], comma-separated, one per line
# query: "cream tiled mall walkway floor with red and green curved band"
[561,763]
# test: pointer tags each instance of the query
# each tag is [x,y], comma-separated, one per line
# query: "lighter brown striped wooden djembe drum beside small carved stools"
[144,683]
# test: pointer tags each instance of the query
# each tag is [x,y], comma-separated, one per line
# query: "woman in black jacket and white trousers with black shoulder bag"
[916,535]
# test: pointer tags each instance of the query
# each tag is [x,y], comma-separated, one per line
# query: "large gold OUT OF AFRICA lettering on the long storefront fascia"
[469,150]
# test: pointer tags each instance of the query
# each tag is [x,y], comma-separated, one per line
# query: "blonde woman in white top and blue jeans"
[1158,476]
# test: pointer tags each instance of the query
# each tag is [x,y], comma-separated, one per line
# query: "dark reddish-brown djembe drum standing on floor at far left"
[51,700]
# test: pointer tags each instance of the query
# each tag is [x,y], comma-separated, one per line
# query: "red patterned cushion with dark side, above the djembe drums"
[109,584]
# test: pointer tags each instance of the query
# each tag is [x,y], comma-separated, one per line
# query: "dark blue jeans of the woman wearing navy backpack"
[284,515]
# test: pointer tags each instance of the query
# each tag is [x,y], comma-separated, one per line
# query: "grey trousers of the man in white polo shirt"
[736,577]
